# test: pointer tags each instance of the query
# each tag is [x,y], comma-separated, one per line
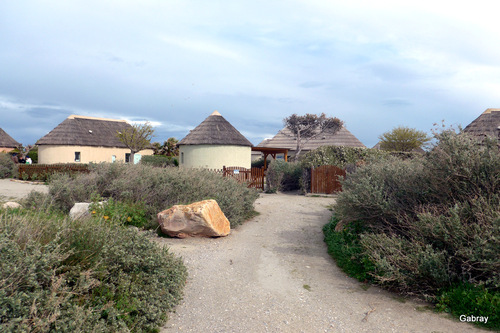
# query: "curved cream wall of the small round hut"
[214,156]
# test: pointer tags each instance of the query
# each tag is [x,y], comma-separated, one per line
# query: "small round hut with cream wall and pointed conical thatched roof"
[213,144]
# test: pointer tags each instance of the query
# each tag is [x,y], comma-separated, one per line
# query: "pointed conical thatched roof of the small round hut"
[215,130]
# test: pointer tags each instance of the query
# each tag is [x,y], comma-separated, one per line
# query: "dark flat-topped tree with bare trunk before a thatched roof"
[310,126]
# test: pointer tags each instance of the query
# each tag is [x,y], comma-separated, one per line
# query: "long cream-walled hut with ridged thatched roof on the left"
[80,139]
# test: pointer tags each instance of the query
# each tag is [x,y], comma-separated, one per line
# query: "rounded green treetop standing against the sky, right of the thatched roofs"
[403,138]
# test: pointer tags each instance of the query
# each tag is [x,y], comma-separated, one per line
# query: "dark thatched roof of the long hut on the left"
[86,131]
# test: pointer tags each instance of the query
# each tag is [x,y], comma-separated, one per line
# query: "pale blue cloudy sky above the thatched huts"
[375,65]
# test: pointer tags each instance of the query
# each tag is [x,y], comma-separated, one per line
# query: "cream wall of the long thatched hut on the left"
[66,154]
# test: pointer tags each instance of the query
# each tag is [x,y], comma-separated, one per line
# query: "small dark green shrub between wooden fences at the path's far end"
[283,176]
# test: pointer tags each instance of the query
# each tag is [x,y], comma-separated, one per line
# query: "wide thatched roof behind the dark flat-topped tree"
[285,139]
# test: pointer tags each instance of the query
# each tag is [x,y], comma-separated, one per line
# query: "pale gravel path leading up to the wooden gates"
[273,274]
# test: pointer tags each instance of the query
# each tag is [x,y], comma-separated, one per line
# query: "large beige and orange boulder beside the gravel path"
[203,219]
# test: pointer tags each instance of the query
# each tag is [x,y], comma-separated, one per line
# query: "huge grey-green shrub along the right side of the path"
[431,222]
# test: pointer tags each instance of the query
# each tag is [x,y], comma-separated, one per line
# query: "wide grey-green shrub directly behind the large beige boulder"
[157,188]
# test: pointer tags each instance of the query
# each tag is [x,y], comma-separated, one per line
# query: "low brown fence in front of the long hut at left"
[43,171]
